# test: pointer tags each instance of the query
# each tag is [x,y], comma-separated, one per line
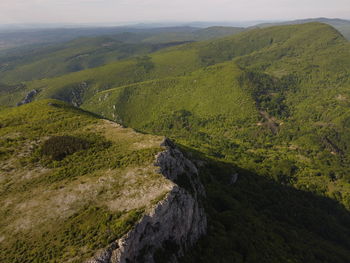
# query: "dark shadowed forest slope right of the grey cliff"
[259,220]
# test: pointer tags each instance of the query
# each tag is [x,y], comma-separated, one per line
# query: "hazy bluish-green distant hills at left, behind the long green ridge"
[36,62]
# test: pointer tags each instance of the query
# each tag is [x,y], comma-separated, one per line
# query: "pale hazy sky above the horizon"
[99,11]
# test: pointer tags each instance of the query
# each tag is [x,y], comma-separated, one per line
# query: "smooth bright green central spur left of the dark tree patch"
[207,93]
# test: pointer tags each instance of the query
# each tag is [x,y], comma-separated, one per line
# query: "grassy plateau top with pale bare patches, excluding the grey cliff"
[55,210]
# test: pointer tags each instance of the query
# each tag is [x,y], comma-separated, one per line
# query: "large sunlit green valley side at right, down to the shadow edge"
[284,103]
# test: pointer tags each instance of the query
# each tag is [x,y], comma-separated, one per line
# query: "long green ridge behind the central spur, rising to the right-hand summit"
[174,61]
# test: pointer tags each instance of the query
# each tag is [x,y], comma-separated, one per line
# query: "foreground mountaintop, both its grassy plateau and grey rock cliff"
[72,184]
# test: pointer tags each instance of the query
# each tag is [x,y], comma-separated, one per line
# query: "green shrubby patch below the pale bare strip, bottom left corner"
[76,239]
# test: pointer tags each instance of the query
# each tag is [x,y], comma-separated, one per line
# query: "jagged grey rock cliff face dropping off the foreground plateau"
[173,225]
